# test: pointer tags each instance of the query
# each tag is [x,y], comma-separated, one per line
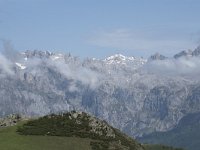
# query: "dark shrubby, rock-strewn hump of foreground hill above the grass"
[79,124]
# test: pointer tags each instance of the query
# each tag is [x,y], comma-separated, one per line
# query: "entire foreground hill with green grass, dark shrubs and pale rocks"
[60,132]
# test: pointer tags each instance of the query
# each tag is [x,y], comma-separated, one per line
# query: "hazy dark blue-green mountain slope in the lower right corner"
[186,134]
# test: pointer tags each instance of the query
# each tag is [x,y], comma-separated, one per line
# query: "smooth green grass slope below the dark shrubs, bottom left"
[11,140]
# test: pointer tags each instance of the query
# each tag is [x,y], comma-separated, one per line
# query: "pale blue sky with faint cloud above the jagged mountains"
[100,28]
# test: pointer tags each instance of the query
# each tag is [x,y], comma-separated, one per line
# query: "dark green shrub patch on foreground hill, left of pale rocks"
[60,125]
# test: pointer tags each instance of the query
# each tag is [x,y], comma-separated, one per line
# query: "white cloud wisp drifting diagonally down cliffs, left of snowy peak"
[72,71]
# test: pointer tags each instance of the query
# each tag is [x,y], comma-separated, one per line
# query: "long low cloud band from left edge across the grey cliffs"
[72,71]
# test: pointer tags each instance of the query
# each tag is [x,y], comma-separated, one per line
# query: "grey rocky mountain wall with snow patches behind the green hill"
[118,89]
